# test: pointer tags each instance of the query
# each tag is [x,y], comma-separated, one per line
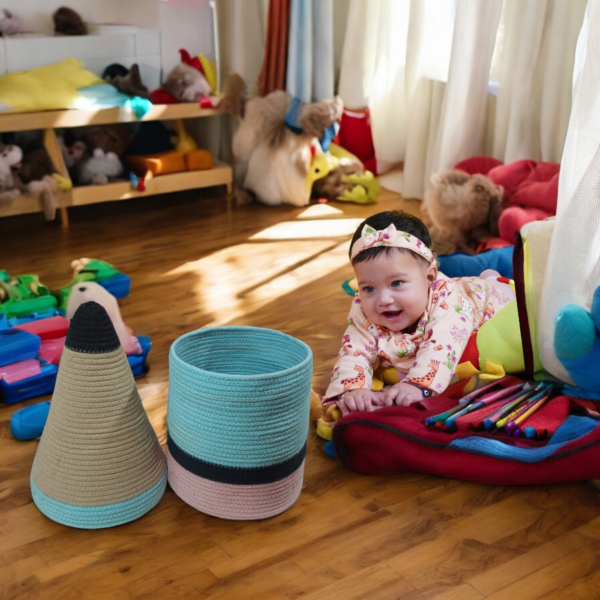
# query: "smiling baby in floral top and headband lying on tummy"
[405,315]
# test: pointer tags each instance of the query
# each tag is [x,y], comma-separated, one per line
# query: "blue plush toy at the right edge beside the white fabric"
[577,346]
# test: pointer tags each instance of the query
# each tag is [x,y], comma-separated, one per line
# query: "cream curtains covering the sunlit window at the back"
[426,69]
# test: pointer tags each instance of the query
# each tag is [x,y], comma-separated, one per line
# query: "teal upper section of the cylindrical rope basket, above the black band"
[239,397]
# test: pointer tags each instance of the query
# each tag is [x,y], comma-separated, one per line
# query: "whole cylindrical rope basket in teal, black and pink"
[239,400]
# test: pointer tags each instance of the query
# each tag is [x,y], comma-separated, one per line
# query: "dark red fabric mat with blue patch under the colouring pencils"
[398,439]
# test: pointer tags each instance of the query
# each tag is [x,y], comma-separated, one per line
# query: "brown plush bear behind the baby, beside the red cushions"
[460,210]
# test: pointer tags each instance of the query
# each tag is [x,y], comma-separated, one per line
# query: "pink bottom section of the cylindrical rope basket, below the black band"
[235,502]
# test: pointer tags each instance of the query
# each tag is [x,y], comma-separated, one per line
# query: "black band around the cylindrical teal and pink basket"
[235,475]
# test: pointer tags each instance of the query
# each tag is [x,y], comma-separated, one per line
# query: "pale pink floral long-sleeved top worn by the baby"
[427,357]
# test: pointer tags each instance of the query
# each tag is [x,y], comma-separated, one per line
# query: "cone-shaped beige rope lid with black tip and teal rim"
[99,463]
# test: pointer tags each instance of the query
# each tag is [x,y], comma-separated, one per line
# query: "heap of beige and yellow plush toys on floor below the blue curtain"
[284,151]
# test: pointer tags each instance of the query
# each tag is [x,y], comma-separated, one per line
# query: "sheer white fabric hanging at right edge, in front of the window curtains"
[573,269]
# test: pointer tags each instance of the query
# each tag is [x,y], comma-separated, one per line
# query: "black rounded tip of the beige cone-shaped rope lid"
[91,330]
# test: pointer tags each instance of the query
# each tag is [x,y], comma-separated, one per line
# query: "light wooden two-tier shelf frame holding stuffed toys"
[49,121]
